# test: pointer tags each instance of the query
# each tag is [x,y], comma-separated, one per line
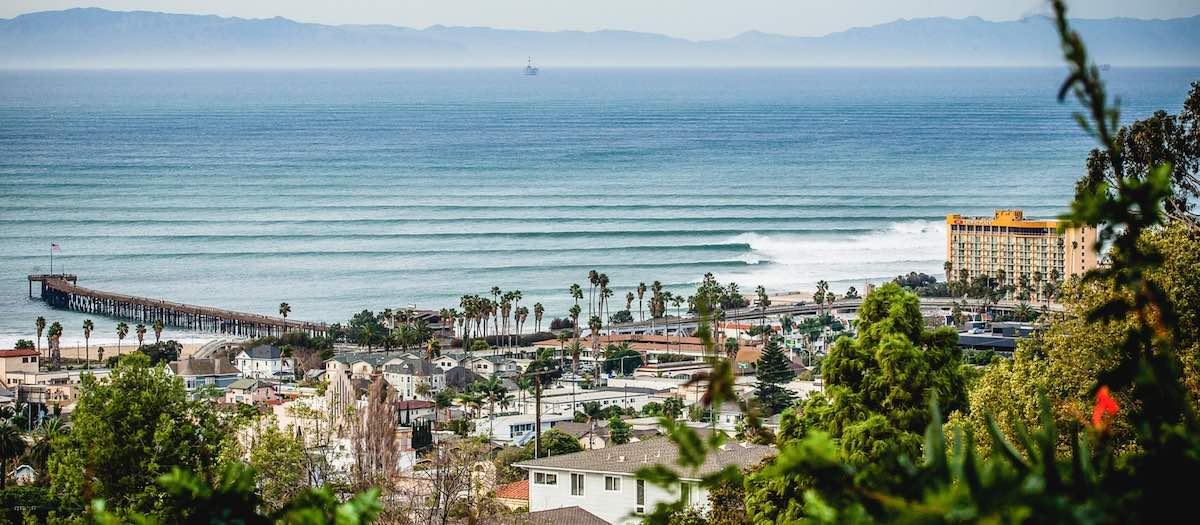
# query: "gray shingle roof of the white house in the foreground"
[631,457]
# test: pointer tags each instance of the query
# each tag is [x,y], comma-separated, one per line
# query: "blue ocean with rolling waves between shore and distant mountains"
[338,191]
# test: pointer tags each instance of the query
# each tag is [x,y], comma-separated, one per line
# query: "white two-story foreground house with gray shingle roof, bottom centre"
[603,481]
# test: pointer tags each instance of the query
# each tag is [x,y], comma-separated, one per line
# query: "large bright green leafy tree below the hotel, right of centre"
[878,391]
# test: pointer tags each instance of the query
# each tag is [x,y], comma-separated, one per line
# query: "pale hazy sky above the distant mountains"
[685,19]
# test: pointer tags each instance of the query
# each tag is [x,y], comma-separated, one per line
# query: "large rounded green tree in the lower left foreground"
[129,431]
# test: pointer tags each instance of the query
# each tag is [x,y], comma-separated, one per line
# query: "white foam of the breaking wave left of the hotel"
[797,263]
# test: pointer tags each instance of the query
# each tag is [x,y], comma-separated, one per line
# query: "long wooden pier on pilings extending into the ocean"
[63,292]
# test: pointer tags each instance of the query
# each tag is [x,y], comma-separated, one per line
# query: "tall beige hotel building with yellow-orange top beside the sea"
[1018,246]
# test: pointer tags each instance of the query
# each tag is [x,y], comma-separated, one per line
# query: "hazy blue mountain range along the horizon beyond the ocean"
[94,38]
